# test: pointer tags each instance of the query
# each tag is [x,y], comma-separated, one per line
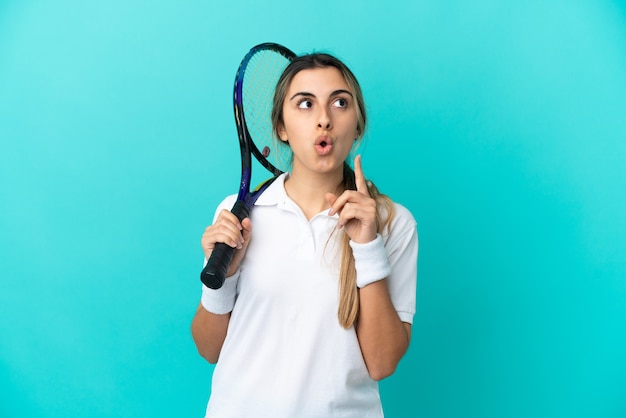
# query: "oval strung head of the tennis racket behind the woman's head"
[255,83]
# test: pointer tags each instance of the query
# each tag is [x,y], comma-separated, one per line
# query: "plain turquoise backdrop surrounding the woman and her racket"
[500,125]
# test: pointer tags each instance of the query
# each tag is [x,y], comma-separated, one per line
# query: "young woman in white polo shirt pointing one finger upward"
[320,295]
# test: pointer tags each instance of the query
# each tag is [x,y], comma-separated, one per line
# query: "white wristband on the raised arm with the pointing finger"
[370,261]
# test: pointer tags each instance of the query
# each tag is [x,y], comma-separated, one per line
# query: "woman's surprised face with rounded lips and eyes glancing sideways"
[319,120]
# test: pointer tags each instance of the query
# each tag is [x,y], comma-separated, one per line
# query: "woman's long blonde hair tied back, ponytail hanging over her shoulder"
[348,310]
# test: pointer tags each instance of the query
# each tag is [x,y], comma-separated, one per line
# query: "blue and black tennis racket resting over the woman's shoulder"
[255,82]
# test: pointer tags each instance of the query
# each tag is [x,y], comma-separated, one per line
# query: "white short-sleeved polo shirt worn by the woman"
[285,354]
